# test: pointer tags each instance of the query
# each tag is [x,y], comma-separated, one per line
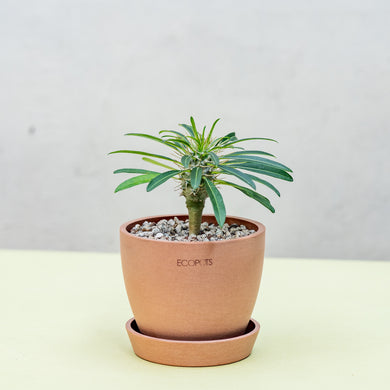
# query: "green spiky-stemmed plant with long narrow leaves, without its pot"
[198,162]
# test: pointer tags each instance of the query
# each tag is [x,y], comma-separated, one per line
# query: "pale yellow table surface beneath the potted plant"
[325,324]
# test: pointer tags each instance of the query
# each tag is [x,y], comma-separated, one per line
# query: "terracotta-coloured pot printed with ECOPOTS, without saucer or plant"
[192,290]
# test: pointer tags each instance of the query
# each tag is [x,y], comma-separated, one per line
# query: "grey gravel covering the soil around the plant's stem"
[175,229]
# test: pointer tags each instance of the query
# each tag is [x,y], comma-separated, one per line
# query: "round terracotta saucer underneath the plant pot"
[192,353]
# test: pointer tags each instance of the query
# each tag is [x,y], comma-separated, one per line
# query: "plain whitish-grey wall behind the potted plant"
[76,75]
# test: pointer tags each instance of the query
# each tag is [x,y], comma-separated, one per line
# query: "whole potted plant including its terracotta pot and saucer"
[192,280]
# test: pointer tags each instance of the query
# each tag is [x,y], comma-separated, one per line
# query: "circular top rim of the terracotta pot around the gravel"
[123,230]
